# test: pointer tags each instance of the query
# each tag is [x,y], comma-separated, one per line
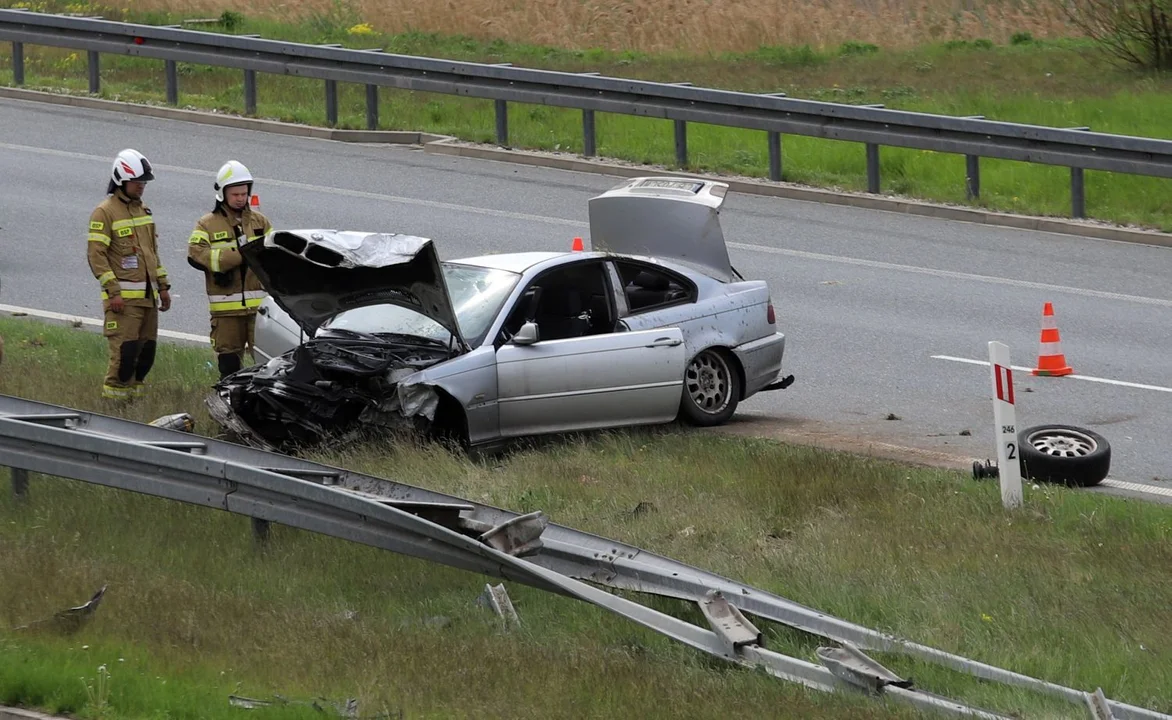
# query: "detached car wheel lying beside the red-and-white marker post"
[1065,454]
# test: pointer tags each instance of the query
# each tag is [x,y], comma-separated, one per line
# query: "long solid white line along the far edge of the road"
[584,226]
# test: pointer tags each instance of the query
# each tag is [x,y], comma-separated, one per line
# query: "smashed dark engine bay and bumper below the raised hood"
[330,390]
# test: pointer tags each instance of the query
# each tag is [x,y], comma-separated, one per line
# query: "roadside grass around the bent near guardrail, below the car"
[1072,589]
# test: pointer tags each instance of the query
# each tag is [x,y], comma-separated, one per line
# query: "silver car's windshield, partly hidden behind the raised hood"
[478,295]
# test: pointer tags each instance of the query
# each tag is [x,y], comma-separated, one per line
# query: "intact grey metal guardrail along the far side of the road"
[875,126]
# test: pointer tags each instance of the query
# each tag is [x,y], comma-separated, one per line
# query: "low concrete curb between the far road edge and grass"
[441,145]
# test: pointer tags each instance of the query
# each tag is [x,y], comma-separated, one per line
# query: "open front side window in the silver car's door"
[573,302]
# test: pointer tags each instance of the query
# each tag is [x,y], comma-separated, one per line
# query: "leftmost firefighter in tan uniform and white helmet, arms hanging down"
[124,256]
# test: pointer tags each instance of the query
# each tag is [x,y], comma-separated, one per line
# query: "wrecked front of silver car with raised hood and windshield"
[379,309]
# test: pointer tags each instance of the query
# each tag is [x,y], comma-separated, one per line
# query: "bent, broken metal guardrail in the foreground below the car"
[472,536]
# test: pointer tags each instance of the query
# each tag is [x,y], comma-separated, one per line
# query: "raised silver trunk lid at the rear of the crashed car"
[676,219]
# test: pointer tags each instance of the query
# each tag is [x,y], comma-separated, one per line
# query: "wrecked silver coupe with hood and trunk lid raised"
[366,331]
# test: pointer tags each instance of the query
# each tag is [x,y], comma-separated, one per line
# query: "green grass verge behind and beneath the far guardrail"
[1061,84]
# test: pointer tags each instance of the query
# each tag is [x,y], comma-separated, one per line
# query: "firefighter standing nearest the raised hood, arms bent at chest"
[234,293]
